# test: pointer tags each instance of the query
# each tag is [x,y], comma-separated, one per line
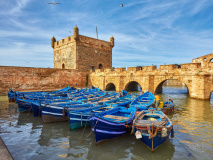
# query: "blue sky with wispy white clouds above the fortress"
[146,32]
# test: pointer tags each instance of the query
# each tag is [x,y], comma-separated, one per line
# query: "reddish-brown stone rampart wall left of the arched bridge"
[31,79]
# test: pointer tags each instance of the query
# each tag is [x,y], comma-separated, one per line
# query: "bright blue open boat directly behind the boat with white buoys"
[144,101]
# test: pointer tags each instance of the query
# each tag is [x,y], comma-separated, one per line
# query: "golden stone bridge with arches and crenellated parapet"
[197,76]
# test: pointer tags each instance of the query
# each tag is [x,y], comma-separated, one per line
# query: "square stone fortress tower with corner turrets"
[82,53]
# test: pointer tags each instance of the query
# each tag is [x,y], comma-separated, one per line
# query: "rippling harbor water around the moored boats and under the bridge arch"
[27,137]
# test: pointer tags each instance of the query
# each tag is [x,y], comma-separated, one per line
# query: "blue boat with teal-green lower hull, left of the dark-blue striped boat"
[80,118]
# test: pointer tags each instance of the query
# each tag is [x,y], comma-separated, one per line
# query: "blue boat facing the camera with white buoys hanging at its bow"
[152,128]
